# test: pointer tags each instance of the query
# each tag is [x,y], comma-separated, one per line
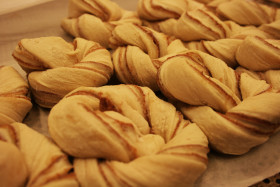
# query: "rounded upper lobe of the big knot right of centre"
[200,80]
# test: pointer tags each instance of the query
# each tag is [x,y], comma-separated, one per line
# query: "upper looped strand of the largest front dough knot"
[139,117]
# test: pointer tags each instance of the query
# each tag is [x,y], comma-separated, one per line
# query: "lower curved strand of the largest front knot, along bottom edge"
[184,157]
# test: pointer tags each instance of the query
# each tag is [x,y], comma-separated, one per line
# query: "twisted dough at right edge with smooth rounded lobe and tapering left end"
[253,52]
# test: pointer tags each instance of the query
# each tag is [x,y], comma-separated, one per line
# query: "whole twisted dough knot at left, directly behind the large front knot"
[58,67]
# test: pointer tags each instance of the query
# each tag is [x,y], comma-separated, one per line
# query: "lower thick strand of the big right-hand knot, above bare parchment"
[241,128]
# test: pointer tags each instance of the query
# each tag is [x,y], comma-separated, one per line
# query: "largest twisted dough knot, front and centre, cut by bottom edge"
[122,123]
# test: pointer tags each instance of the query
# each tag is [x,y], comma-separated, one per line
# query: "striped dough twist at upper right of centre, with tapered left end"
[197,24]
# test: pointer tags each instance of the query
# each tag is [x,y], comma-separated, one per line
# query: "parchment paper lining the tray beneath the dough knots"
[44,20]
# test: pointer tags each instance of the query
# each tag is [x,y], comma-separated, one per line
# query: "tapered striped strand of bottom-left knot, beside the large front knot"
[46,163]
